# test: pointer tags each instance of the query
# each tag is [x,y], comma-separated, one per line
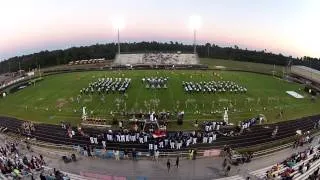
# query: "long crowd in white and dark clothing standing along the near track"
[156,138]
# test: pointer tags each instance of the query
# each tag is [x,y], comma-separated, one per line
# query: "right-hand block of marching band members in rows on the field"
[213,87]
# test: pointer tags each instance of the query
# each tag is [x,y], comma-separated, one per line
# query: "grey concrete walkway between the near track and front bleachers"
[200,169]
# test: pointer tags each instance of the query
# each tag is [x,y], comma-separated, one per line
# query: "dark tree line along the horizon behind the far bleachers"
[108,51]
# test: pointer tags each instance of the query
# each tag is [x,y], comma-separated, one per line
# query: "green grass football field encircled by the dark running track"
[54,99]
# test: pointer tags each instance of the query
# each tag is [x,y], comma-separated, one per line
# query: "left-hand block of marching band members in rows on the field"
[106,85]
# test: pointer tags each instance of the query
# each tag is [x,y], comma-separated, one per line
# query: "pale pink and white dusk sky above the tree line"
[290,27]
